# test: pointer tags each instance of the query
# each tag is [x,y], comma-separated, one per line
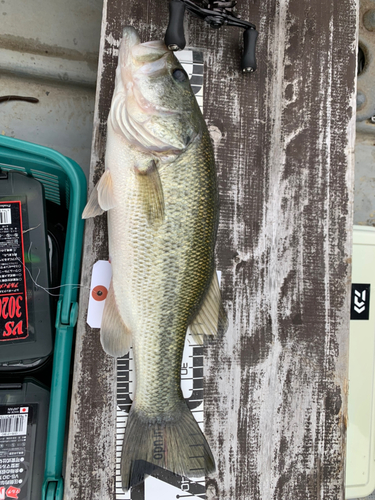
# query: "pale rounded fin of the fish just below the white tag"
[115,336]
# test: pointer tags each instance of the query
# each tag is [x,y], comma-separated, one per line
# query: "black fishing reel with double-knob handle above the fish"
[216,13]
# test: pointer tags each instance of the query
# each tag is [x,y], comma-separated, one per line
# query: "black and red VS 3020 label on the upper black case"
[13,298]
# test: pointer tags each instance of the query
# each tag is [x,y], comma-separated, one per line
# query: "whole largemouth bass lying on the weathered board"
[160,191]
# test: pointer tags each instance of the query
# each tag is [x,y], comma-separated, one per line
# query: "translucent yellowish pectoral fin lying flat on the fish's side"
[151,191]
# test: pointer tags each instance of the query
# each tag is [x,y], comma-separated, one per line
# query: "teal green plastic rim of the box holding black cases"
[64,183]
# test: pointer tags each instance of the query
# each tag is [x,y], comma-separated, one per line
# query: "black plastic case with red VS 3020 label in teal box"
[26,333]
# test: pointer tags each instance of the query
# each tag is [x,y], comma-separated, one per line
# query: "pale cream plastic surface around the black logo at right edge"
[360,464]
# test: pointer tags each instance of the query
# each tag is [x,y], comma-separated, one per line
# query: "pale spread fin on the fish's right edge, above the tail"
[211,315]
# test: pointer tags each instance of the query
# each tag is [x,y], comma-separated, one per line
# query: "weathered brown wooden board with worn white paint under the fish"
[275,385]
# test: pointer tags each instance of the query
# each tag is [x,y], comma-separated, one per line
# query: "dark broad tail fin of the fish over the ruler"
[175,443]
